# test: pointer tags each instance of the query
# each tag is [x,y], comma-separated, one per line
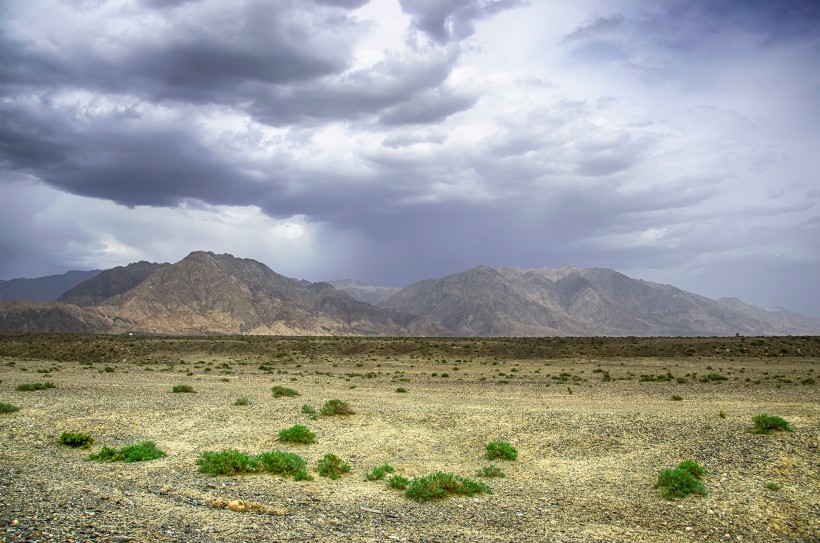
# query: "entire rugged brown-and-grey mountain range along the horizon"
[206,293]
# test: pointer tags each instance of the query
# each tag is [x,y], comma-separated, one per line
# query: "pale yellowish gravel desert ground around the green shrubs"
[587,461]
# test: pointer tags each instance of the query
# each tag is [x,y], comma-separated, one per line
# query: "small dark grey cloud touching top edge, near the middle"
[452,20]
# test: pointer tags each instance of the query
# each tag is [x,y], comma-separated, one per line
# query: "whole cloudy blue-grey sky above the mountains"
[391,141]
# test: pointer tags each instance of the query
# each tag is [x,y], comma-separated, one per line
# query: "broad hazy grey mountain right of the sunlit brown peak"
[576,301]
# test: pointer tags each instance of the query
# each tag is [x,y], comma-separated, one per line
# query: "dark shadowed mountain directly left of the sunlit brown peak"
[110,283]
